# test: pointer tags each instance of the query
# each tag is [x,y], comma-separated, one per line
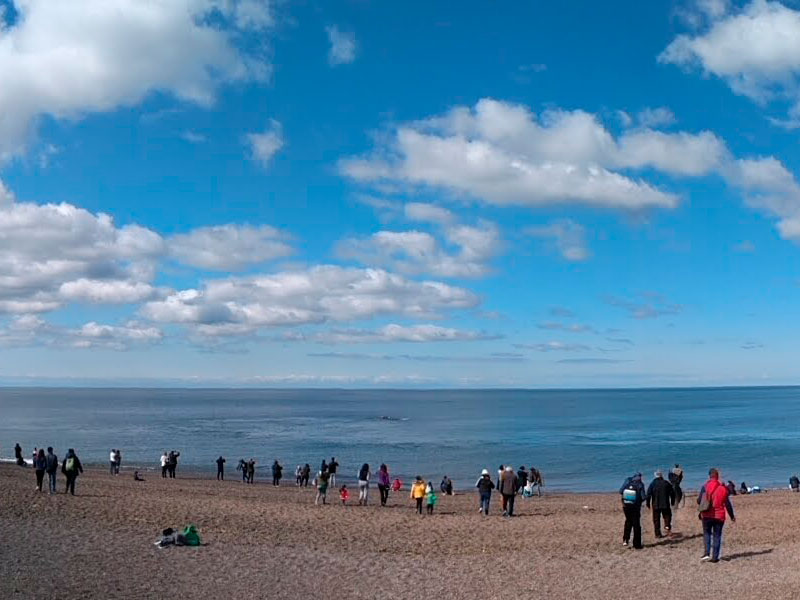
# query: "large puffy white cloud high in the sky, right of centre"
[504,154]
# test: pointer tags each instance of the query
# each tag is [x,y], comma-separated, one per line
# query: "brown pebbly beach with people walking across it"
[264,542]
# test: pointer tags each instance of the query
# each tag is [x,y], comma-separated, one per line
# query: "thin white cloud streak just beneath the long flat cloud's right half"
[399,333]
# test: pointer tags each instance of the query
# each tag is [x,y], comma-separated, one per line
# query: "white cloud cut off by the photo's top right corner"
[755,50]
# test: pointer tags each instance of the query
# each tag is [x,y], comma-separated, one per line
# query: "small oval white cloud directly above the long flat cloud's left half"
[229,247]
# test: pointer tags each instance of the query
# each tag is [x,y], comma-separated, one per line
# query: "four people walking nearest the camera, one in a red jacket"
[664,496]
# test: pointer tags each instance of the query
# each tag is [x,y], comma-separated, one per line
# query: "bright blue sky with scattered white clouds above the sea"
[364,193]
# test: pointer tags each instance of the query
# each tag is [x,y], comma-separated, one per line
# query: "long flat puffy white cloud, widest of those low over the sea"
[236,306]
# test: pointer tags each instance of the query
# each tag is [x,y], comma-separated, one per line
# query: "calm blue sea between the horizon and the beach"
[582,440]
